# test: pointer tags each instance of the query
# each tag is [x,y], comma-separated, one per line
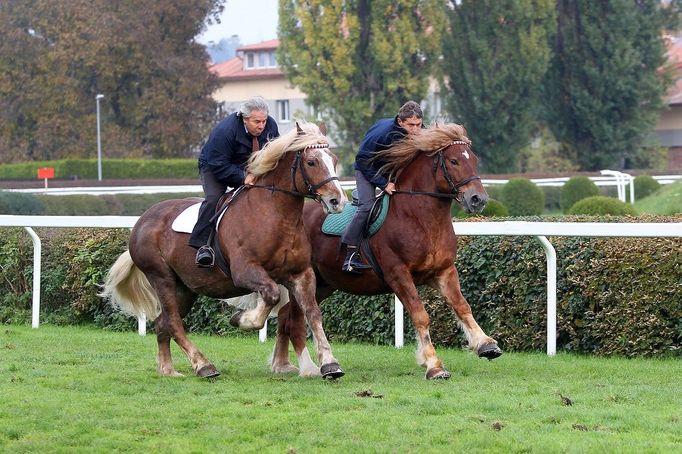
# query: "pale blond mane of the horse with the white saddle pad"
[266,160]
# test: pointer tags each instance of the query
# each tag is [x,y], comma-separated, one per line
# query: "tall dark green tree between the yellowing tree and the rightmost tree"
[495,56]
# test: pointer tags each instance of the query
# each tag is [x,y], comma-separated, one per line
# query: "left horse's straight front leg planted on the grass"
[302,288]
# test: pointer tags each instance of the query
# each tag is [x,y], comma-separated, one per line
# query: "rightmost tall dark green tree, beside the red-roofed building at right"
[605,89]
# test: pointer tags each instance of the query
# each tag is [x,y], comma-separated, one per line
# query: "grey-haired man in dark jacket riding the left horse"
[222,163]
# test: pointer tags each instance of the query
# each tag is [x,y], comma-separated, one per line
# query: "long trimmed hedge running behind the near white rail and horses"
[615,295]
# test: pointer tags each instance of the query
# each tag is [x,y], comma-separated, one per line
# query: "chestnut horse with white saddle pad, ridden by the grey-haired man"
[261,237]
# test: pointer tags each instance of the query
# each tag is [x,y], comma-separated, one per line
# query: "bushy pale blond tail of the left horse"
[128,289]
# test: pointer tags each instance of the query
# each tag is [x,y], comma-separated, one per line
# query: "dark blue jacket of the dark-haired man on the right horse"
[380,136]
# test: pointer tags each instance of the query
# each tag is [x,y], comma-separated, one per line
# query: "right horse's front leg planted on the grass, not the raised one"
[402,284]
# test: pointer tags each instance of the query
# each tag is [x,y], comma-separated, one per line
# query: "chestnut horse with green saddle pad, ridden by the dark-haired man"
[415,246]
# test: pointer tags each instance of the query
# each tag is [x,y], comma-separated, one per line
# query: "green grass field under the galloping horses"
[85,390]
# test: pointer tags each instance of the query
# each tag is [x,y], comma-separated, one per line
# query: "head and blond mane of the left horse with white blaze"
[313,173]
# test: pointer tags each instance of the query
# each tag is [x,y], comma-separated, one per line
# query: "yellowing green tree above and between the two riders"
[359,60]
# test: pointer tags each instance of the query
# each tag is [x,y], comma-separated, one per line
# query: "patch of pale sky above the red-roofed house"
[253,20]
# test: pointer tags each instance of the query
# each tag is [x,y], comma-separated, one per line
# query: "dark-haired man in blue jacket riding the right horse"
[380,136]
